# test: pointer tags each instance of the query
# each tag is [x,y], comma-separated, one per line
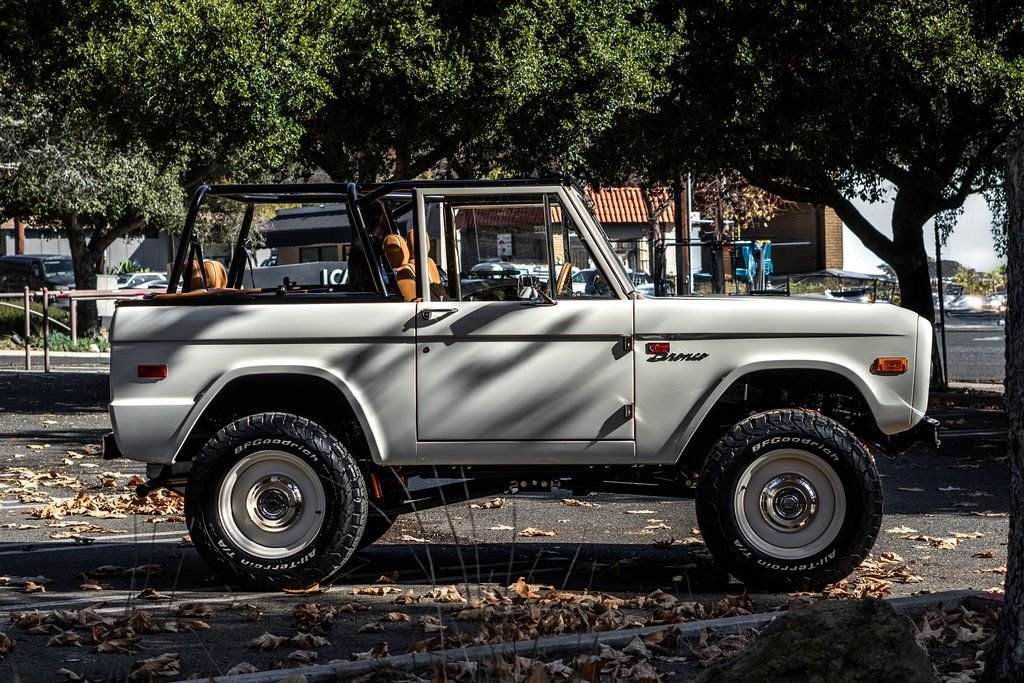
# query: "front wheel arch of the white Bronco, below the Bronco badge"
[731,401]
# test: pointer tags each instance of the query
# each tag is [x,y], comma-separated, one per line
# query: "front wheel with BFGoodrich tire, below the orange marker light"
[758,483]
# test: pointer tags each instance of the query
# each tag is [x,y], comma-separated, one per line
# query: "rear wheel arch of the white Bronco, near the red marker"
[313,393]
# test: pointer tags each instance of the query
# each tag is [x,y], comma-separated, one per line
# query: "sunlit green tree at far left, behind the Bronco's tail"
[120,108]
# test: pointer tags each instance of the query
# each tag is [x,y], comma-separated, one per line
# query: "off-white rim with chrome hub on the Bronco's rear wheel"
[271,504]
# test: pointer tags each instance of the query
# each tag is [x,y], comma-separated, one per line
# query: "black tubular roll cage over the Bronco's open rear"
[358,199]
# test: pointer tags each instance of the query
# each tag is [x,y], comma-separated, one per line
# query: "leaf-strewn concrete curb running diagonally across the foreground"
[571,645]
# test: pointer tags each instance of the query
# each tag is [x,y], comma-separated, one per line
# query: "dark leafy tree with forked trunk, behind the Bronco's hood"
[825,103]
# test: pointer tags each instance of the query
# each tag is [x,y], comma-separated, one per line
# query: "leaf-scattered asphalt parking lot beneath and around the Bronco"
[945,529]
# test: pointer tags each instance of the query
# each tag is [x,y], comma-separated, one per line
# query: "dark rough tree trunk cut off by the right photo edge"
[1005,661]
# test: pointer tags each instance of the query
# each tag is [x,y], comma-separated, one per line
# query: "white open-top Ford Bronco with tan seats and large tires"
[440,336]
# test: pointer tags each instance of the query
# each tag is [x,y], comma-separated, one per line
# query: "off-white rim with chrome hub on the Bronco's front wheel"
[790,504]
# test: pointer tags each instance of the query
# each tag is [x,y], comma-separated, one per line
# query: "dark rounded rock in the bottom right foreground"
[843,642]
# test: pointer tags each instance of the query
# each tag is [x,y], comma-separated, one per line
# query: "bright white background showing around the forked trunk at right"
[970,243]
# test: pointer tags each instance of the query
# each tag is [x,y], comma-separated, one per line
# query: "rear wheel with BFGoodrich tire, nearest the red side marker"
[289,454]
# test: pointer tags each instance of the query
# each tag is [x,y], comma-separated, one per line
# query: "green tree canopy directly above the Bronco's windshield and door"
[524,88]
